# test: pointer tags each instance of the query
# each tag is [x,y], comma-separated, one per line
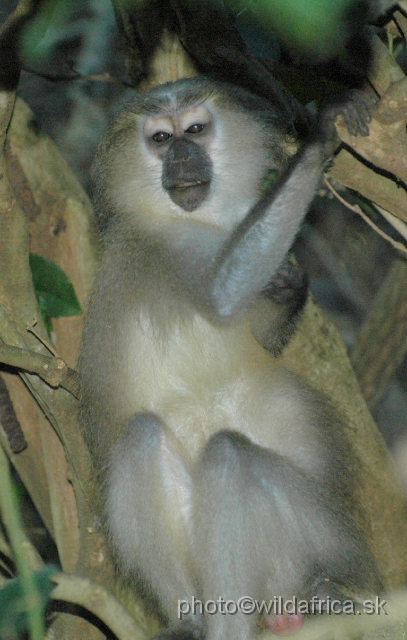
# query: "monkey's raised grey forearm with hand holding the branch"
[256,249]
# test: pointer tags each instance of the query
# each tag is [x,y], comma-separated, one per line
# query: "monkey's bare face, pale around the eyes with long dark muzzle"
[182,142]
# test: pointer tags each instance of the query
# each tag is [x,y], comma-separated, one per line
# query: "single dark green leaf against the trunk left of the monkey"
[55,293]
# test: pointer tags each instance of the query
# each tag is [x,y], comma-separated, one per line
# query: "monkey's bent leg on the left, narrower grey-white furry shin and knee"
[149,497]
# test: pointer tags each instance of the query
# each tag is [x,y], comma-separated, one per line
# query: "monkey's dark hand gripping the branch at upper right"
[356,109]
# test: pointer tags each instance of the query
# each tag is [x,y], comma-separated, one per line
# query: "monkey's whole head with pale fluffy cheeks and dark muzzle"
[190,149]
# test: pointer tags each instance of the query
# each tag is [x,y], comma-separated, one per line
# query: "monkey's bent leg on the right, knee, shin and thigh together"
[262,528]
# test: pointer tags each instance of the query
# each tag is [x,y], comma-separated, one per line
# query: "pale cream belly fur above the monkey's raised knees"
[204,379]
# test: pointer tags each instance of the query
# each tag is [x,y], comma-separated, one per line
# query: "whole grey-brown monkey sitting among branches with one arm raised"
[221,474]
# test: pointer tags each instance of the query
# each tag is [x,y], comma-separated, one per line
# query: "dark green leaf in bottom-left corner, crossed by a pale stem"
[13,607]
